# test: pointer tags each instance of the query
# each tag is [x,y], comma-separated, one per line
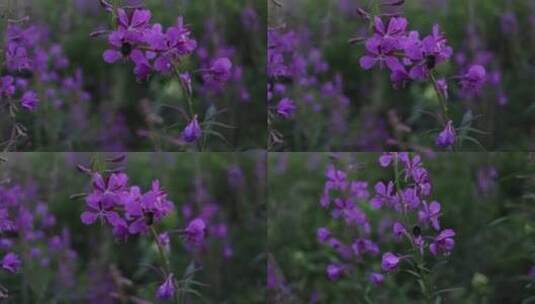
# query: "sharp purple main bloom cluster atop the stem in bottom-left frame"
[127,209]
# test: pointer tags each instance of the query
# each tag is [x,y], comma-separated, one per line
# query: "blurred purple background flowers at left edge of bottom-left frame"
[26,224]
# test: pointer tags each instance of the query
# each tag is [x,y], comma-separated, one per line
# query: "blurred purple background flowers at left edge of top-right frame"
[299,78]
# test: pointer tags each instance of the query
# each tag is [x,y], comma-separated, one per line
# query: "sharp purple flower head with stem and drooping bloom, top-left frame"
[153,48]
